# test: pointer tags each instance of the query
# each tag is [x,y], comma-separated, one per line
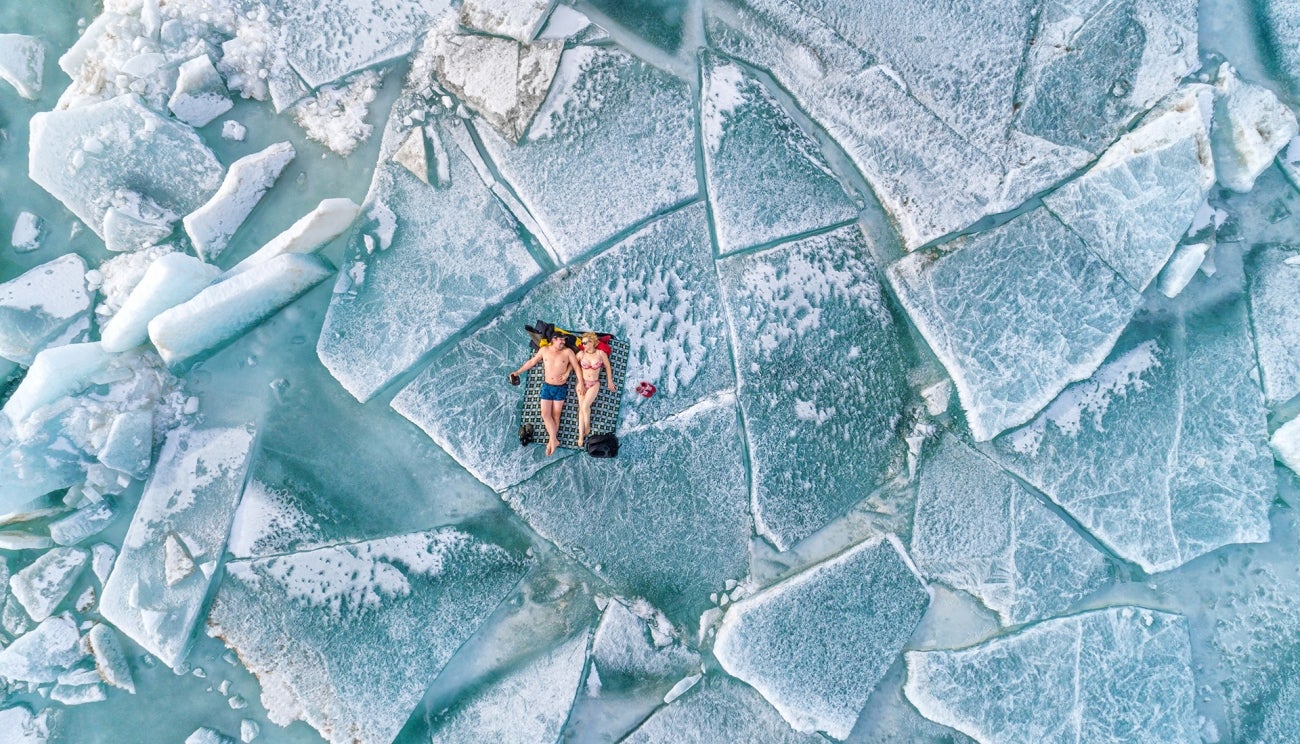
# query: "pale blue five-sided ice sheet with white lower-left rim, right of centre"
[1015,314]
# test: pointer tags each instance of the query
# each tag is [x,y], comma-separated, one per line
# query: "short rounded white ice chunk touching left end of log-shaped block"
[170,282]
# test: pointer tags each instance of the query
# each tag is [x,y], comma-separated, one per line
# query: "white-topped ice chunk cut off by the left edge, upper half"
[41,305]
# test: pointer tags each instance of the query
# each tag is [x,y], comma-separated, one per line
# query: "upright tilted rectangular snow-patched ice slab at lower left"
[190,501]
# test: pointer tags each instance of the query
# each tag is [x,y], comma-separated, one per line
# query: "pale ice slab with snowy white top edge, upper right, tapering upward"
[1137,202]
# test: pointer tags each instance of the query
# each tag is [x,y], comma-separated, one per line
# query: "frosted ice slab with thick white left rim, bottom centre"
[817,644]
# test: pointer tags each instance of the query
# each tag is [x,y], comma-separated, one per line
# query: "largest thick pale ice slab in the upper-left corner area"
[86,155]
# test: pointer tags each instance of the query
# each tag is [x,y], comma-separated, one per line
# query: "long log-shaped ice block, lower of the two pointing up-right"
[232,308]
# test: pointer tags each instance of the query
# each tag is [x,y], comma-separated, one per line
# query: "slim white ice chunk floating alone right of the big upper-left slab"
[213,226]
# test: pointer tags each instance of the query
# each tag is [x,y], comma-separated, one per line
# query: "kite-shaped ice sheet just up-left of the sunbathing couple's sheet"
[454,253]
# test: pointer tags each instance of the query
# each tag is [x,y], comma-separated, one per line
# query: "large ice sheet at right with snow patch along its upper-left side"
[1180,409]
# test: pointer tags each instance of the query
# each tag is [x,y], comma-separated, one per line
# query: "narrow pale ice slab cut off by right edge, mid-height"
[1273,274]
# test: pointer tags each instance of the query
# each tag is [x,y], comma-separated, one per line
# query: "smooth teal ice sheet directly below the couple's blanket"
[657,522]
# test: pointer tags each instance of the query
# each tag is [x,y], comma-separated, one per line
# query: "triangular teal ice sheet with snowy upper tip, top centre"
[766,178]
